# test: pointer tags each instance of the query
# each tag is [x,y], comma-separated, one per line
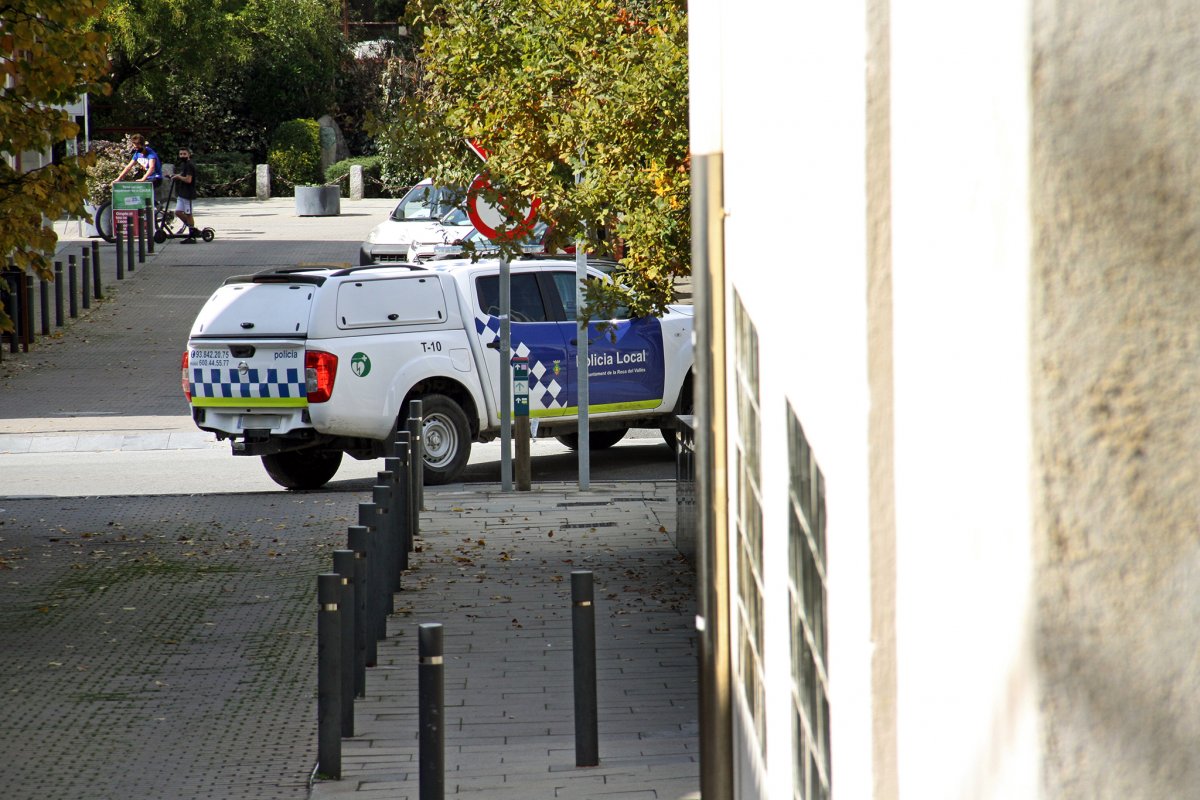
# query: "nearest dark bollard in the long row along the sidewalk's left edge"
[329,676]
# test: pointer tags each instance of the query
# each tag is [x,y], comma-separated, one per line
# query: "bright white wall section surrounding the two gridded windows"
[794,124]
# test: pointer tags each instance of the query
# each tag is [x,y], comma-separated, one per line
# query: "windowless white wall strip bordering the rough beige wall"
[961,238]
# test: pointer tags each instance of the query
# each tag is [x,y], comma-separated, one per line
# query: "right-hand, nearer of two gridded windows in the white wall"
[809,618]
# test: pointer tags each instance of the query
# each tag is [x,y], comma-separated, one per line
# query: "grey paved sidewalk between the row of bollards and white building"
[495,570]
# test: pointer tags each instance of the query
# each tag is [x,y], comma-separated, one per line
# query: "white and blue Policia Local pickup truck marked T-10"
[299,366]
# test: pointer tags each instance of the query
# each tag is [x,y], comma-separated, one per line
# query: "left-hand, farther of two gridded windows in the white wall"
[749,521]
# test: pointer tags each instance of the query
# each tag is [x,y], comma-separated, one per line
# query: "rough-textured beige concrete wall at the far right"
[1117,363]
